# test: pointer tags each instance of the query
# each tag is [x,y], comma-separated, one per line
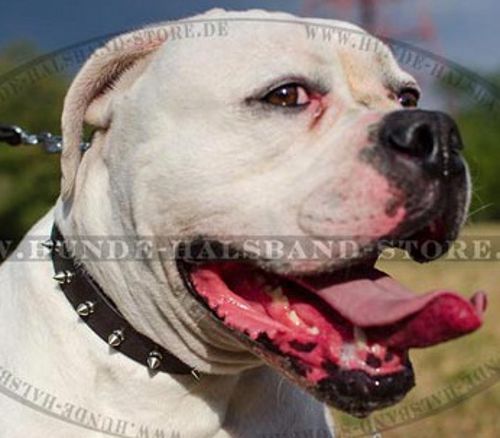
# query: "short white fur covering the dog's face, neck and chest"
[178,153]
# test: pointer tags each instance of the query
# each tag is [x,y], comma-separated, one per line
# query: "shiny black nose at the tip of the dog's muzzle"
[430,137]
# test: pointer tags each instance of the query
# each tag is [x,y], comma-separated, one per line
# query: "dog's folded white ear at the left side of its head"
[106,73]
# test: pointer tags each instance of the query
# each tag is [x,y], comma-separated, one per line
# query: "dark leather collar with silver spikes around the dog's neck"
[102,316]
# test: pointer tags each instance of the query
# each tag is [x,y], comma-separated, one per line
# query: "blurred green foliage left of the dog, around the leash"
[29,178]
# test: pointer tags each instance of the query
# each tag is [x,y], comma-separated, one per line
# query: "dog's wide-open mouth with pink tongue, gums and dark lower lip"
[344,336]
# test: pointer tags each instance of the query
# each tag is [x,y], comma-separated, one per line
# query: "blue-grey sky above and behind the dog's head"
[467,31]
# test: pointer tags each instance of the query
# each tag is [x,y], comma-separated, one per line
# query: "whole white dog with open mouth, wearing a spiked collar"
[246,126]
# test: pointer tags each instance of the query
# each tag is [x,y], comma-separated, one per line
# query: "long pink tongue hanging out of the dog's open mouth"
[404,319]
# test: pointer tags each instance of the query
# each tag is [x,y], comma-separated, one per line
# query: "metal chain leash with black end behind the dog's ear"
[15,136]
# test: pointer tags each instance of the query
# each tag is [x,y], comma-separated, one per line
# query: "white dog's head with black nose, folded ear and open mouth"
[255,125]
